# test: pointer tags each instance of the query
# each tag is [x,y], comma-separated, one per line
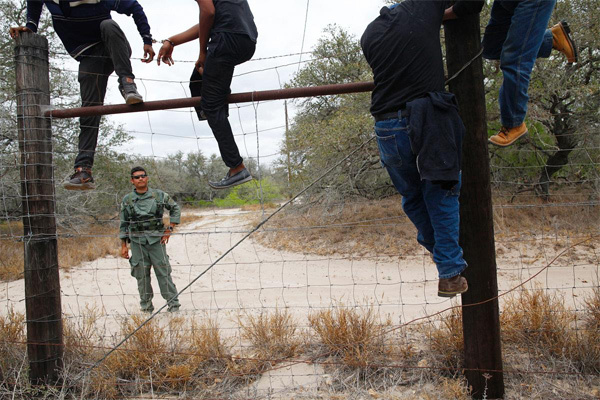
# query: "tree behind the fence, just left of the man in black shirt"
[329,127]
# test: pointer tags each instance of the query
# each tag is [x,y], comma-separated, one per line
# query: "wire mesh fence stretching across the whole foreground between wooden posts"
[327,296]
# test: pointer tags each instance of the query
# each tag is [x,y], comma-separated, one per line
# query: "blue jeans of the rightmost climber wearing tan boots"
[517,35]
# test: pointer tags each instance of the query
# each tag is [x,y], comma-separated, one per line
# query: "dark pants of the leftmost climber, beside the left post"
[110,55]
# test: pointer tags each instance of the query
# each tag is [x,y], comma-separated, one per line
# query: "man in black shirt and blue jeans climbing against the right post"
[414,118]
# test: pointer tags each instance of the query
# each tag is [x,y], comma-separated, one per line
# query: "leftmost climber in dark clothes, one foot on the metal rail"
[91,37]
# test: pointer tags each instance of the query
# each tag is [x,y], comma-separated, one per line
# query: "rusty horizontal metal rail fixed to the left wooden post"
[279,94]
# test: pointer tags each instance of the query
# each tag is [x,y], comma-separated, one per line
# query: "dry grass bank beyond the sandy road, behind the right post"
[380,226]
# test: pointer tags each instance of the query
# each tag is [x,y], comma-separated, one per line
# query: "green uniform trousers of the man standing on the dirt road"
[144,257]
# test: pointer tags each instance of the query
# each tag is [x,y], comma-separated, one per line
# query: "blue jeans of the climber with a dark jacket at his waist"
[433,210]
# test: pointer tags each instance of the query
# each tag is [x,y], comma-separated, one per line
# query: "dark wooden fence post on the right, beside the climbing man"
[481,322]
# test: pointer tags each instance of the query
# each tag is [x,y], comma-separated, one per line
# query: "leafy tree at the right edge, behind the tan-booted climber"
[563,116]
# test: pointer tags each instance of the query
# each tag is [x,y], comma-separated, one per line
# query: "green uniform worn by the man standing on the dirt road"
[141,223]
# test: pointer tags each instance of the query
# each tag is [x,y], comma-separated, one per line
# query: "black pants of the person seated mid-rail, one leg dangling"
[225,51]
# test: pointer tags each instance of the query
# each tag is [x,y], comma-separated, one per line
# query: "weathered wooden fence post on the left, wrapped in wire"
[42,285]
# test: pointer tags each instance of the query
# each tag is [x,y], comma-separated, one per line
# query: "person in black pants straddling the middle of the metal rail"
[227,36]
